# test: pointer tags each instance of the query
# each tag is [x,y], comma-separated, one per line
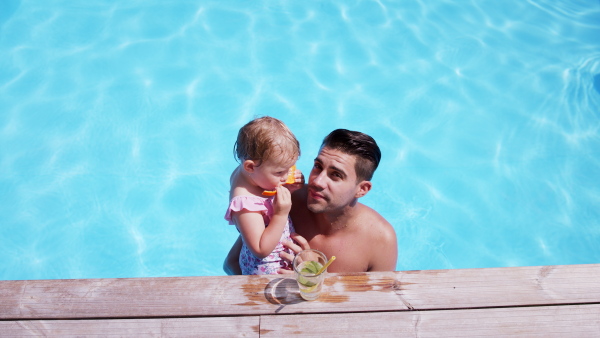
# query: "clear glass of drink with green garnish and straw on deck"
[307,264]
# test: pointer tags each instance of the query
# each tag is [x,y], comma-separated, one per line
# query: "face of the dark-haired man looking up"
[332,182]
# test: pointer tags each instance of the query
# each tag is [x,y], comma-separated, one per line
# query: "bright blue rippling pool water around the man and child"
[117,123]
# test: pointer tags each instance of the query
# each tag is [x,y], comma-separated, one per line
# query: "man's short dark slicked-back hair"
[358,144]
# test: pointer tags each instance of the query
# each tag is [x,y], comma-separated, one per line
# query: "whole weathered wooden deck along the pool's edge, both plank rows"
[560,301]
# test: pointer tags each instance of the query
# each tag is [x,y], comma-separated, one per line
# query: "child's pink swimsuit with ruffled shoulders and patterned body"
[250,264]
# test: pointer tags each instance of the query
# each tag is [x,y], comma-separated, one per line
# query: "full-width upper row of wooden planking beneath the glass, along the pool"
[254,295]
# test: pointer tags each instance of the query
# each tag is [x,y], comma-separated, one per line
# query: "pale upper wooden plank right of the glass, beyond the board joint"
[496,287]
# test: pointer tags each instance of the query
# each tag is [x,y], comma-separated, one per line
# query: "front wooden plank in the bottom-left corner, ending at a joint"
[247,326]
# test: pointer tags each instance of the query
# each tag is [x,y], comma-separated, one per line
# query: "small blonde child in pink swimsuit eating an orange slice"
[266,150]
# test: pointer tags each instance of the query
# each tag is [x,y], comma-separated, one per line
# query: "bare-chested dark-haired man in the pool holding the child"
[328,216]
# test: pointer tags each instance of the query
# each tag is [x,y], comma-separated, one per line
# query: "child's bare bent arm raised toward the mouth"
[259,239]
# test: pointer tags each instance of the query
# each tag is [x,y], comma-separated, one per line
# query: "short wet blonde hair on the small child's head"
[263,138]
